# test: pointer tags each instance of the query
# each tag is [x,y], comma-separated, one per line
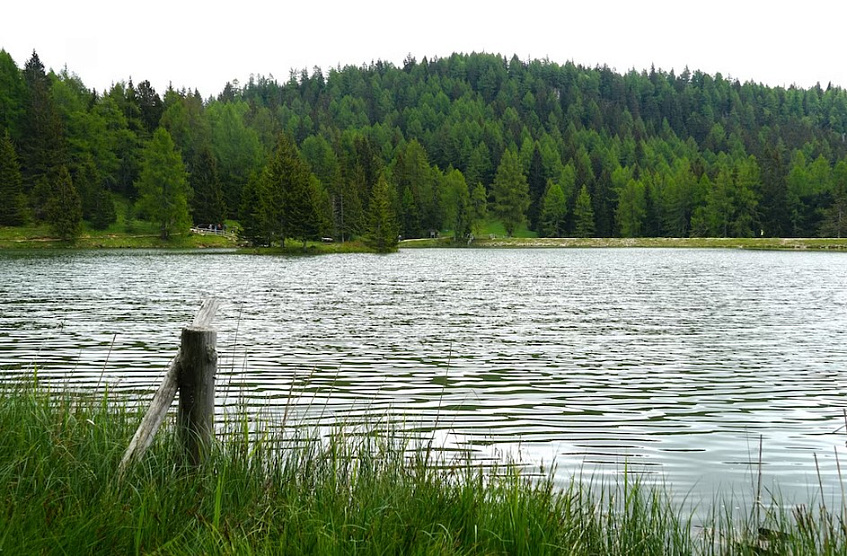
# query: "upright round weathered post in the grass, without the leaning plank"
[196,382]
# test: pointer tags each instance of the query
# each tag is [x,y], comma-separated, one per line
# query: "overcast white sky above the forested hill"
[205,44]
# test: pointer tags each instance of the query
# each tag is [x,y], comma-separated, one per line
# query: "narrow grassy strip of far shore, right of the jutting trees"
[832,244]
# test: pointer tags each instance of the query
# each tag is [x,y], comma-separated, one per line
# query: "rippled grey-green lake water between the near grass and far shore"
[672,363]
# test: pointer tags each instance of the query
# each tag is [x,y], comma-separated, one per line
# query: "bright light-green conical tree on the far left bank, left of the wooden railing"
[163,185]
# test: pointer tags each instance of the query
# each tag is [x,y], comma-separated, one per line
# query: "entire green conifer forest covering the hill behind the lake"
[437,146]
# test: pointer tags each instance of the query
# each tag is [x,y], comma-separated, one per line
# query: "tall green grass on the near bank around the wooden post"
[288,494]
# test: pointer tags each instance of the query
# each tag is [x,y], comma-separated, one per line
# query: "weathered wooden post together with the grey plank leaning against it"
[198,434]
